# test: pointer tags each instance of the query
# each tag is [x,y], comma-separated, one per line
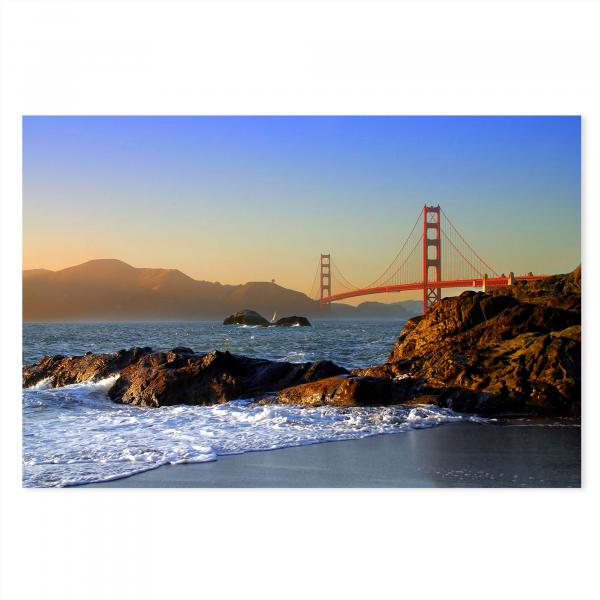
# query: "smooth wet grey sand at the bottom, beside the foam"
[517,454]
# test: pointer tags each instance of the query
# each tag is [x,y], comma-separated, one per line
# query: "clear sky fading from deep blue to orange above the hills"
[237,199]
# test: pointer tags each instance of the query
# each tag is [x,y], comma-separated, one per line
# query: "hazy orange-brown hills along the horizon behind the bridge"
[108,289]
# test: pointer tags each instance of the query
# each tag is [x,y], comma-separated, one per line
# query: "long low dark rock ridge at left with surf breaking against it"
[179,376]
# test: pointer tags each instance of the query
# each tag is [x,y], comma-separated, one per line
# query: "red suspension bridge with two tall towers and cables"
[433,247]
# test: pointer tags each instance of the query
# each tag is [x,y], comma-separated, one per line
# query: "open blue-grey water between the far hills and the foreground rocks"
[348,343]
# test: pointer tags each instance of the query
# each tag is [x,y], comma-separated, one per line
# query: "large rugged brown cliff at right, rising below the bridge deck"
[517,348]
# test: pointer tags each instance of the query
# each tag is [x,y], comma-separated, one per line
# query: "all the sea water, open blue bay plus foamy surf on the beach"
[76,434]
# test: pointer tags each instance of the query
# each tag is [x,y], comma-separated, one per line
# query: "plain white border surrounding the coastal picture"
[292,58]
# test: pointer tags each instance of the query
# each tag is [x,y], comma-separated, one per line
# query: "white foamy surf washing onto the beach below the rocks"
[76,434]
